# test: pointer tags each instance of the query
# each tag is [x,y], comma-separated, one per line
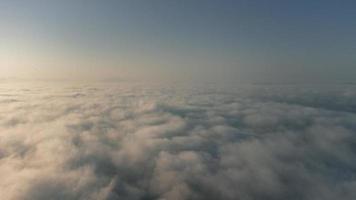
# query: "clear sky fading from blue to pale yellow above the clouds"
[230,40]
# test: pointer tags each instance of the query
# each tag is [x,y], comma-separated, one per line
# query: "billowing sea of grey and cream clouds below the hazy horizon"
[106,141]
